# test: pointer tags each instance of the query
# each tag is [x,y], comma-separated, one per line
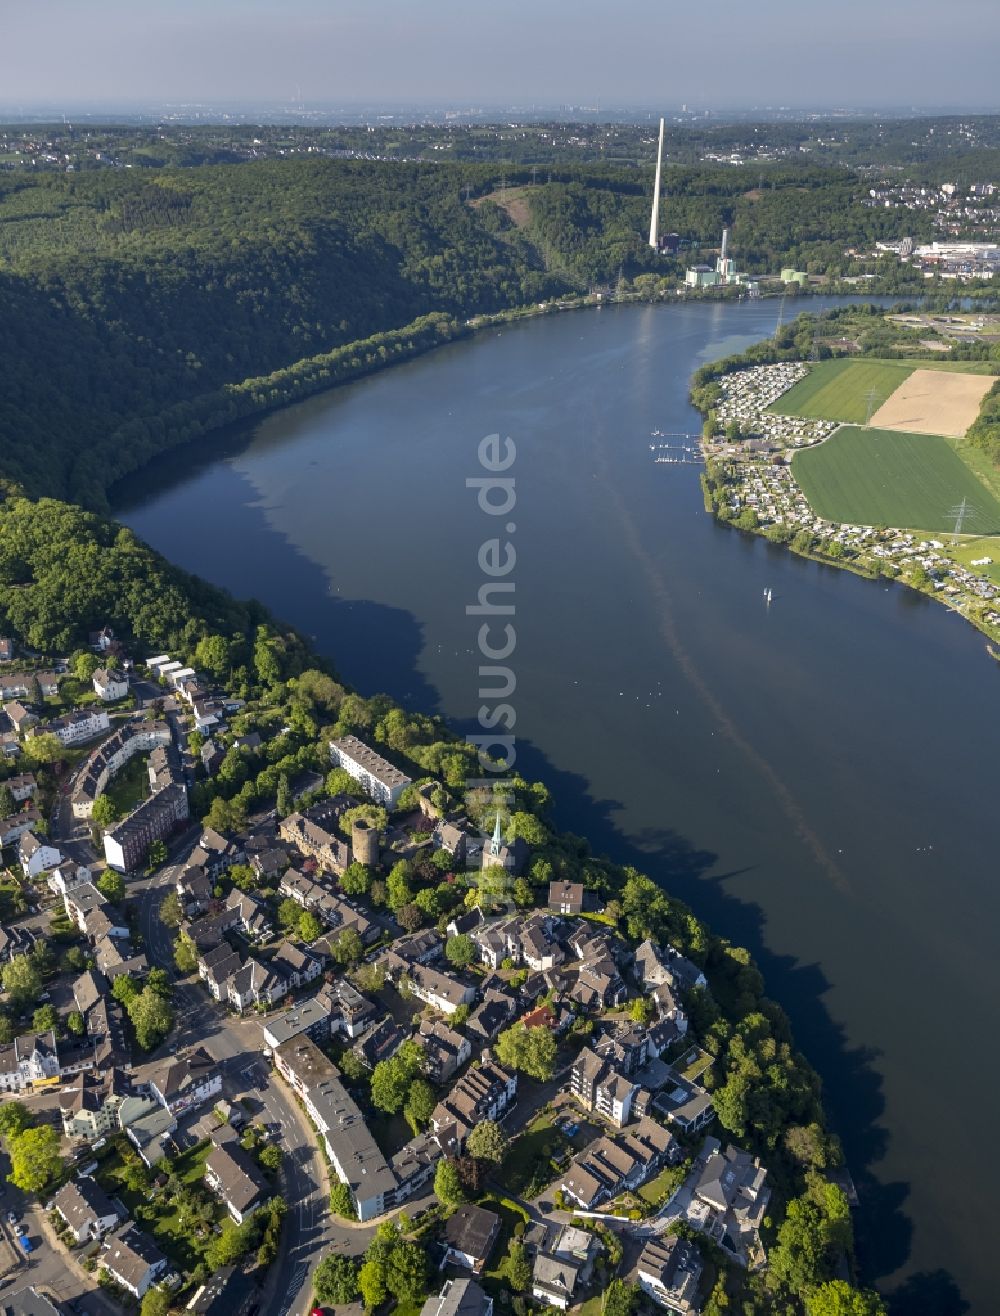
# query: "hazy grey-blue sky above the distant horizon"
[470,52]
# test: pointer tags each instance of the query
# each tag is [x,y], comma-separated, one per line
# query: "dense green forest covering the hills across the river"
[144,309]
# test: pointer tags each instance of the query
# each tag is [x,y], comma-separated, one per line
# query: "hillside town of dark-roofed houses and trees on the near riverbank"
[372,1039]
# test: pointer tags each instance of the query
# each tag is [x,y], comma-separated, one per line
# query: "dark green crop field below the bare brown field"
[881,477]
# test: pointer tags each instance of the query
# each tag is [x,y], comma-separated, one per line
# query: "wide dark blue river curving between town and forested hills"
[818,780]
